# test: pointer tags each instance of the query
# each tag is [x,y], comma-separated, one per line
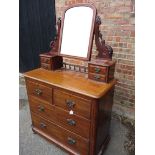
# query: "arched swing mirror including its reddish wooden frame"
[77,31]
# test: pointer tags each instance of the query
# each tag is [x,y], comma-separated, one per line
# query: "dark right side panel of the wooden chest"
[103,121]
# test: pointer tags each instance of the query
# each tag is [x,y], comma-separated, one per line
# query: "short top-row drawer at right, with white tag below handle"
[69,102]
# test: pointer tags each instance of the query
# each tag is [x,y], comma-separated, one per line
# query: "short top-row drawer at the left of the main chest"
[40,91]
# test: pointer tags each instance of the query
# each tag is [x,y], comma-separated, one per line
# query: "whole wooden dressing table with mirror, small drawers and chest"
[71,105]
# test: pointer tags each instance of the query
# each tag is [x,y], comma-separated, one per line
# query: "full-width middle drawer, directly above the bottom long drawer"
[74,123]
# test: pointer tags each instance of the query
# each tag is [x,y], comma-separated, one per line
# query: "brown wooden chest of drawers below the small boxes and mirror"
[70,110]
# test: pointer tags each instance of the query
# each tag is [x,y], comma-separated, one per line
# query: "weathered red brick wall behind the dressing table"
[118,30]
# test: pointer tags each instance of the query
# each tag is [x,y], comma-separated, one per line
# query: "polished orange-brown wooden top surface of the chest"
[71,80]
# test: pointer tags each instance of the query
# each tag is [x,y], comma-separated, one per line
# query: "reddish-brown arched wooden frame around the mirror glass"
[91,32]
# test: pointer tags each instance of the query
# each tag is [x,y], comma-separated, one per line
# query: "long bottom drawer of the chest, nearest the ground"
[72,141]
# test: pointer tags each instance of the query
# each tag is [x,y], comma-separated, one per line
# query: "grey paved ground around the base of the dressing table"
[33,144]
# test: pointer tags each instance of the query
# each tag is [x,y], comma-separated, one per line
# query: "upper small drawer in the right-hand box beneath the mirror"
[97,69]
